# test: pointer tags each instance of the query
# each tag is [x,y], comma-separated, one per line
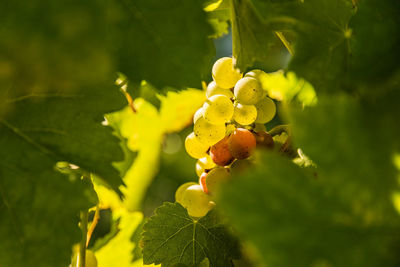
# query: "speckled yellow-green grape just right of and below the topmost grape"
[248,91]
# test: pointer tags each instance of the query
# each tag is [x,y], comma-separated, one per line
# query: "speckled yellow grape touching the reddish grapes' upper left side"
[208,133]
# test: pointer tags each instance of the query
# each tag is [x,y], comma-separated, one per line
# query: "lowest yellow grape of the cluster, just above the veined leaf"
[196,201]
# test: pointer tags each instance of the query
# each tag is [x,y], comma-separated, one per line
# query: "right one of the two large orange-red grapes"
[241,143]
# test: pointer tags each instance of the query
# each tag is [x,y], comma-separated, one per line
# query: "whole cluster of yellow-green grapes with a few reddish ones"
[227,129]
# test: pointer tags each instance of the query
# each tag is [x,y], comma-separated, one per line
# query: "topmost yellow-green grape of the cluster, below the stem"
[224,73]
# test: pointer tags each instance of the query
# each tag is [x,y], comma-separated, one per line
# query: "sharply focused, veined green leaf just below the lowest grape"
[171,237]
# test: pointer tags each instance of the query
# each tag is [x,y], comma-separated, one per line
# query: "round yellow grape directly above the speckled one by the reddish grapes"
[218,109]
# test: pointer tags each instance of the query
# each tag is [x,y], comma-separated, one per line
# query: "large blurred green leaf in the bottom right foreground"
[318,222]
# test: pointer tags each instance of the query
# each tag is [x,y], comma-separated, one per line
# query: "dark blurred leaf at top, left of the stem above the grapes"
[163,43]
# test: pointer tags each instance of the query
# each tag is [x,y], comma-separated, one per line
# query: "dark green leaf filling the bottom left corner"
[39,206]
